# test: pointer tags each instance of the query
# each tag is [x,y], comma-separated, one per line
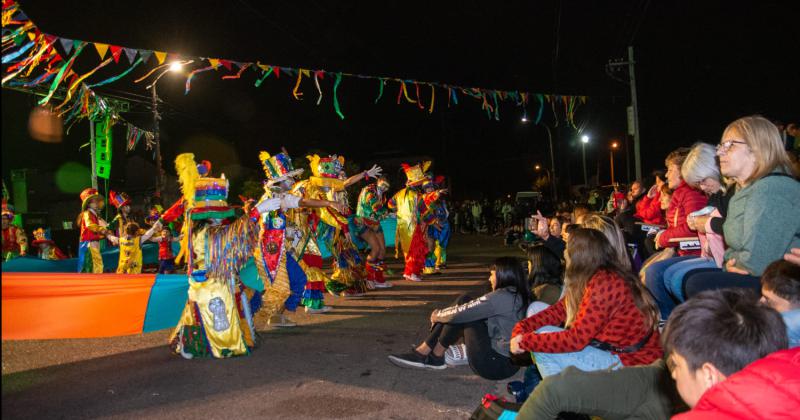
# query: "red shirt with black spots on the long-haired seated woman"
[606,313]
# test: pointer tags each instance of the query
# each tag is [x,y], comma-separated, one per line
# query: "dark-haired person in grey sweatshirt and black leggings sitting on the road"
[484,324]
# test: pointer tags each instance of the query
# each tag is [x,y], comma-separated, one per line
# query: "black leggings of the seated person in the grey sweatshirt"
[483,360]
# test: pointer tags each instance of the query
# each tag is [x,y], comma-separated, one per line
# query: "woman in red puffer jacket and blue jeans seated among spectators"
[685,200]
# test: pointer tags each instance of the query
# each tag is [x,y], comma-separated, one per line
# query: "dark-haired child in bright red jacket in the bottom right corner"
[714,342]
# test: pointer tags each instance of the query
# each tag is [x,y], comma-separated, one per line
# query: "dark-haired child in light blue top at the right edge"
[780,290]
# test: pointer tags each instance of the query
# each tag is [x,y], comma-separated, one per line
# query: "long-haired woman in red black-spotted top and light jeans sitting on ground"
[610,319]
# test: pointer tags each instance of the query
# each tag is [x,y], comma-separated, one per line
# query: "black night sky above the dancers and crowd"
[700,65]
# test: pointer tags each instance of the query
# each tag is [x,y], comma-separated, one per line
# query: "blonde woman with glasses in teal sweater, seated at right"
[762,223]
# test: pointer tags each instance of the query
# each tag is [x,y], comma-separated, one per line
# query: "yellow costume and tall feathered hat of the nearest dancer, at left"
[217,320]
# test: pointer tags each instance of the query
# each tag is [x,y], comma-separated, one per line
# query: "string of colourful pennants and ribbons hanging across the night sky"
[26,49]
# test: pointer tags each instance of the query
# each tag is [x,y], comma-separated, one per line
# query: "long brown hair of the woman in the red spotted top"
[588,251]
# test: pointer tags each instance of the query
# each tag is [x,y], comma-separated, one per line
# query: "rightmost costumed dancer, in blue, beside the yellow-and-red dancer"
[438,235]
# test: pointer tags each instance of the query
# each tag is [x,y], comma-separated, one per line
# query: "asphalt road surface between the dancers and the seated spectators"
[330,366]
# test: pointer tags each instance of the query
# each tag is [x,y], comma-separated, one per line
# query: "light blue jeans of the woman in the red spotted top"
[588,359]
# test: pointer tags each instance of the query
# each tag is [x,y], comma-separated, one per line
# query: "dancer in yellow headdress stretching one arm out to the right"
[329,182]
